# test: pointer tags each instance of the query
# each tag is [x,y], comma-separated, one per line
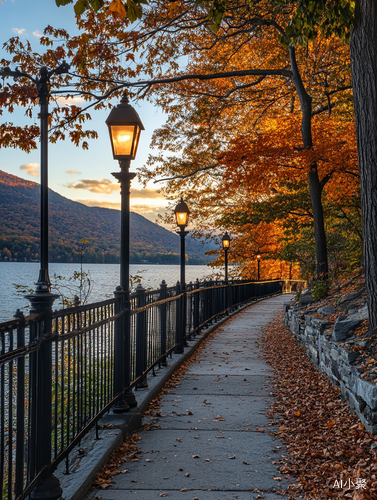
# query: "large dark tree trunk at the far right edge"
[364,78]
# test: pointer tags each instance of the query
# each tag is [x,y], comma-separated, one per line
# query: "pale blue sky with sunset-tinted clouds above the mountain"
[79,175]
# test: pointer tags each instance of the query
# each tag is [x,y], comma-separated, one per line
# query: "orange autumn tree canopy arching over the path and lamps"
[260,135]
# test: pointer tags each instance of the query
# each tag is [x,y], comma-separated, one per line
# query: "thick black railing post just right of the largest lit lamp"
[141,338]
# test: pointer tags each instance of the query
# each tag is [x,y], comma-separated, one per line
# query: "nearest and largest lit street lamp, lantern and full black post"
[124,127]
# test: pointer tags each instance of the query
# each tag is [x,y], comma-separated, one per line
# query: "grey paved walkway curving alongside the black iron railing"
[213,415]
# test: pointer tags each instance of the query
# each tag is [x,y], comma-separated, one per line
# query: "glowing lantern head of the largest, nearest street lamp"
[124,127]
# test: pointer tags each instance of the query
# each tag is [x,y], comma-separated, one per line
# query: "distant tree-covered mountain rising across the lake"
[71,222]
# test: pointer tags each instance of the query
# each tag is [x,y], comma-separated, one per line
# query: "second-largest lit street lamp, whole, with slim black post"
[182,213]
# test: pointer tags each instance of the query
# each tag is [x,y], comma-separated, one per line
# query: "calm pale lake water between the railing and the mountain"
[105,278]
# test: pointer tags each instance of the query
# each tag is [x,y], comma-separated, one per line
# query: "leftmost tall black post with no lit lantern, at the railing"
[42,299]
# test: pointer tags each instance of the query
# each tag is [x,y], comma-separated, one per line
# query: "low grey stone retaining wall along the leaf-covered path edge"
[336,358]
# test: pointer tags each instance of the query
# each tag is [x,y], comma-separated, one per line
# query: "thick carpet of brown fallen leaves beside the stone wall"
[324,441]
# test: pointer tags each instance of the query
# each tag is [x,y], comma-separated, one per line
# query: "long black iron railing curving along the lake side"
[81,342]
